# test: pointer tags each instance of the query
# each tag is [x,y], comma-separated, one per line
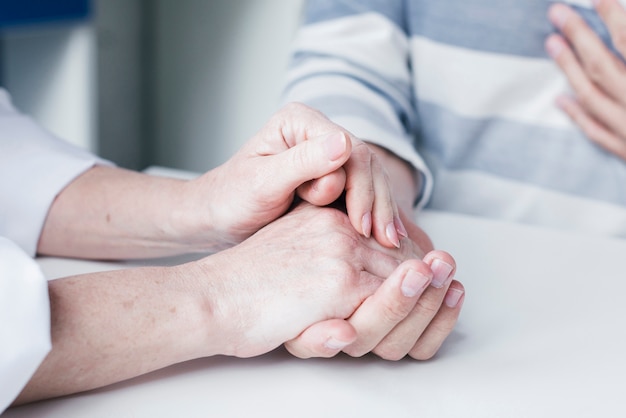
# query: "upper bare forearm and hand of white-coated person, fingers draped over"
[110,212]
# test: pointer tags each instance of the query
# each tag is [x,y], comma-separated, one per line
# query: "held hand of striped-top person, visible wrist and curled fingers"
[386,324]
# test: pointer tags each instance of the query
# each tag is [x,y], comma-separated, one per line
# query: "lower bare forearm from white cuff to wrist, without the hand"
[111,326]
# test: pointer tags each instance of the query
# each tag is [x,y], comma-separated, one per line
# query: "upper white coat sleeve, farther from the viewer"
[34,167]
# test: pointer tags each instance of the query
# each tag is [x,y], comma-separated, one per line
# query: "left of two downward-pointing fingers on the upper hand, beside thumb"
[360,188]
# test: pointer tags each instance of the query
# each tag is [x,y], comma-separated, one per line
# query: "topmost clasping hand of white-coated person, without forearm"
[301,151]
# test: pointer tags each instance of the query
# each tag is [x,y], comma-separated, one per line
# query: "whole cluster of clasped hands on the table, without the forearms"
[318,282]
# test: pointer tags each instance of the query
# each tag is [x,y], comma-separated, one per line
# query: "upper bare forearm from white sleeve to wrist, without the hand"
[110,213]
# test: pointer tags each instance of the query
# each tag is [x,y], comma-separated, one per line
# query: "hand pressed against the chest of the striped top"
[597,76]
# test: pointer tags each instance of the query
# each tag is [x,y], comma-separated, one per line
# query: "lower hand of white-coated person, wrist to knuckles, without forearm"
[308,266]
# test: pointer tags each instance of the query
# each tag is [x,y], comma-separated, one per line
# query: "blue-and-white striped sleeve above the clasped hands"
[350,60]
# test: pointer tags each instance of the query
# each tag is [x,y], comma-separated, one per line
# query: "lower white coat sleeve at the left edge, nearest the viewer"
[24,320]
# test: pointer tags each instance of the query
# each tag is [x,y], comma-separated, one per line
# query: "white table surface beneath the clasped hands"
[541,335]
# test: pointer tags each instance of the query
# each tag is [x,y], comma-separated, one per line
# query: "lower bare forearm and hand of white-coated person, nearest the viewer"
[308,266]
